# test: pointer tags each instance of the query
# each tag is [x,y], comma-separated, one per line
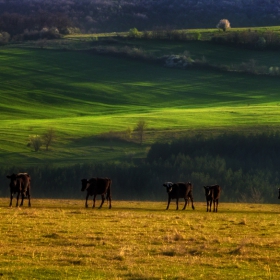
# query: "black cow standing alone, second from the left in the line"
[95,186]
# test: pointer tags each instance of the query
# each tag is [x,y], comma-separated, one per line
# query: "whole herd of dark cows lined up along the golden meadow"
[20,185]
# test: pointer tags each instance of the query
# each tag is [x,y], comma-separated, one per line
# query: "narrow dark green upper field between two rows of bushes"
[203,49]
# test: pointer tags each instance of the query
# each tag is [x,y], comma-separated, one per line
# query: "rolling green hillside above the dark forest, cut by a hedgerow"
[81,95]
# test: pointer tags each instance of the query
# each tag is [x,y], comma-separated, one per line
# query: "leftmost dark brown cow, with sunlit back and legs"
[20,185]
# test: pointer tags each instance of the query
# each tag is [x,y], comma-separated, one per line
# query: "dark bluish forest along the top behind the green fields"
[64,16]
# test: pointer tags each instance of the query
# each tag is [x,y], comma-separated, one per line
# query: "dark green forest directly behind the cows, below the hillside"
[245,166]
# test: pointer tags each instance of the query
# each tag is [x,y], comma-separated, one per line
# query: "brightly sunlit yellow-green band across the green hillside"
[156,119]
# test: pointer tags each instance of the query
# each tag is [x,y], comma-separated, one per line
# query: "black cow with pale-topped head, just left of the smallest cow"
[179,190]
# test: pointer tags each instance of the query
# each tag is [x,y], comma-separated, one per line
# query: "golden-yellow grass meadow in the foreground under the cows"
[60,239]
